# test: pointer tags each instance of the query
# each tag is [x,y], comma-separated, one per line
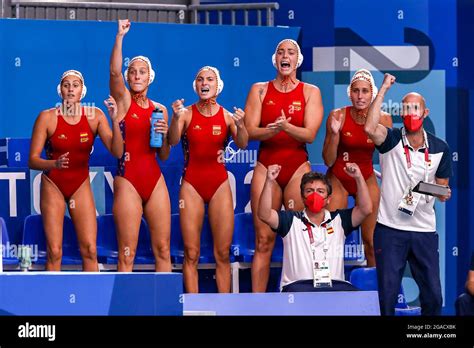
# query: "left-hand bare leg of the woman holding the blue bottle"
[127,216]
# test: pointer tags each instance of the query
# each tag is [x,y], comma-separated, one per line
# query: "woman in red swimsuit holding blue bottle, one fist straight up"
[139,187]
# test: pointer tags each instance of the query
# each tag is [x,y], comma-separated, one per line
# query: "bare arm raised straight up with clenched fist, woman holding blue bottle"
[118,90]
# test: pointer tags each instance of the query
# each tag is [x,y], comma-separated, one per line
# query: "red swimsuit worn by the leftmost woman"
[77,140]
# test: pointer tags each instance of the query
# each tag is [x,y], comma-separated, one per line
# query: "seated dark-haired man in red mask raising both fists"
[313,239]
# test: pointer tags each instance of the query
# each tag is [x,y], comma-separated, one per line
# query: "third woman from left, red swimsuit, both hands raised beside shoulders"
[204,129]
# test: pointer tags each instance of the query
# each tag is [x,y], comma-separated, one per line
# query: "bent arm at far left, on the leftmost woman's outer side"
[38,139]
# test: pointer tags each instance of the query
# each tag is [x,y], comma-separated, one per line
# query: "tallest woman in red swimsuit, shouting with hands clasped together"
[284,115]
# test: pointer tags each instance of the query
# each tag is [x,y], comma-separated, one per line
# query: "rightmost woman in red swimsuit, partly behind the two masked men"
[345,142]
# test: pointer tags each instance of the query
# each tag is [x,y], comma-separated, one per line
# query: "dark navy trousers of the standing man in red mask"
[393,248]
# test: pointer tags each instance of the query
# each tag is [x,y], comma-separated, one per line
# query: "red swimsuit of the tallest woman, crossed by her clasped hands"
[282,149]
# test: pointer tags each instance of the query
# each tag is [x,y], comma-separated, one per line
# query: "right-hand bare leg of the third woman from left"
[221,218]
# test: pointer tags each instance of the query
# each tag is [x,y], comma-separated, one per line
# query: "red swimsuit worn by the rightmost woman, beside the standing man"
[354,146]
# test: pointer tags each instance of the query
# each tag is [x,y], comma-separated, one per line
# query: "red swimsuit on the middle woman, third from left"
[203,145]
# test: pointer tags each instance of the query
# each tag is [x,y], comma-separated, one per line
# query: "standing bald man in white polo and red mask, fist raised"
[406,222]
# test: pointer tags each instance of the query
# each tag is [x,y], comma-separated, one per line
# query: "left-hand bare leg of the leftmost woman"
[52,207]
